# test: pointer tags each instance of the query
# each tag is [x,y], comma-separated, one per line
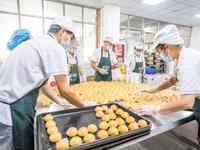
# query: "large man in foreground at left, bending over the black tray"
[25,70]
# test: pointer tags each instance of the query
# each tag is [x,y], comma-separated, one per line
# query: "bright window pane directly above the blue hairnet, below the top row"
[27,22]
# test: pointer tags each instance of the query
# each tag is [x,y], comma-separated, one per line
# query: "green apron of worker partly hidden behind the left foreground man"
[74,73]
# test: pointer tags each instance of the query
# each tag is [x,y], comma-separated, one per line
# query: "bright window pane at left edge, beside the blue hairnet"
[8,24]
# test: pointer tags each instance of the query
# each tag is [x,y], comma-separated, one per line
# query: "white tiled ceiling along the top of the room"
[173,11]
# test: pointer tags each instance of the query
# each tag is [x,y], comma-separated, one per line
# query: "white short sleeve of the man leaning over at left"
[55,63]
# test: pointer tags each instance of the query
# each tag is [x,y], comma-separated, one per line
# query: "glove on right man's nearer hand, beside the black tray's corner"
[147,110]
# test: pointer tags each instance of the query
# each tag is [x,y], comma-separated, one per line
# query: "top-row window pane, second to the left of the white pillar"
[73,12]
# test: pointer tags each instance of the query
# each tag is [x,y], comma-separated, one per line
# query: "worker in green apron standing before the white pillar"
[101,60]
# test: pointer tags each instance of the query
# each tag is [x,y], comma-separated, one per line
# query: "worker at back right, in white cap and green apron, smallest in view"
[135,62]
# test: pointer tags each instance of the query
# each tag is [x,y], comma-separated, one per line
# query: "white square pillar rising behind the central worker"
[110,22]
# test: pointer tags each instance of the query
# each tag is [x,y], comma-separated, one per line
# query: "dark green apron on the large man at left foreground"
[23,113]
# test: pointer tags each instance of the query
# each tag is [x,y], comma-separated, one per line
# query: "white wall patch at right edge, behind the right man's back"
[194,43]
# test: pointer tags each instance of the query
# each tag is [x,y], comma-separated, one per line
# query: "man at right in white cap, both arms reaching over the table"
[167,43]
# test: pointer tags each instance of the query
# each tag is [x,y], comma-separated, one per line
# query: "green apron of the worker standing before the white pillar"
[104,63]
